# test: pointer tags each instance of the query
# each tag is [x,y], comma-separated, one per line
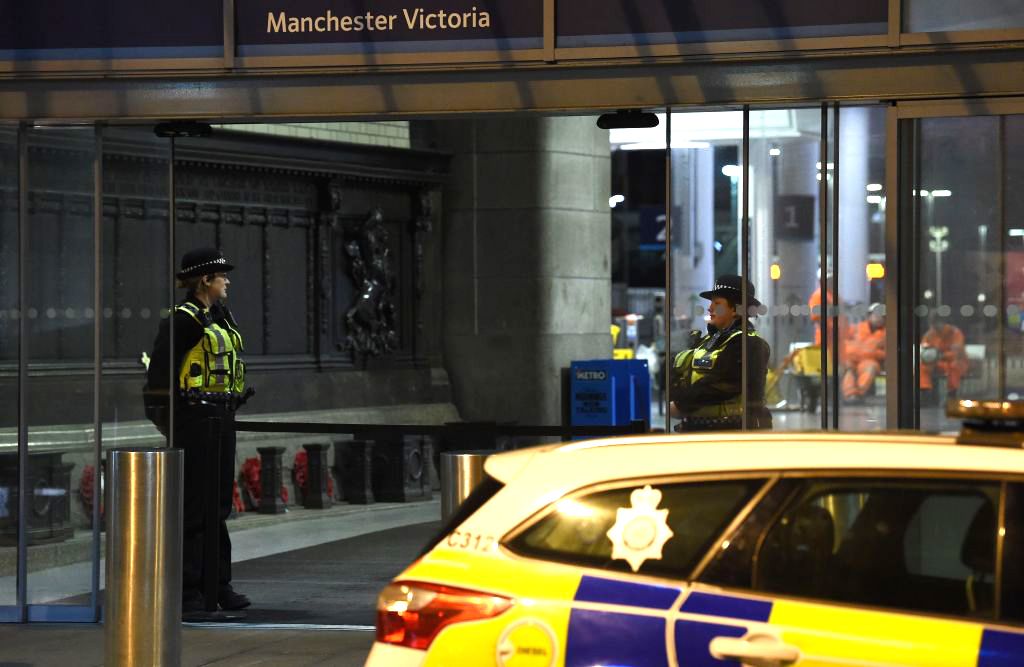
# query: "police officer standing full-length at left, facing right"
[210,381]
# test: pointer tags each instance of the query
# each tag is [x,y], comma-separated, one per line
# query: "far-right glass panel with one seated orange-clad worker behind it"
[961,199]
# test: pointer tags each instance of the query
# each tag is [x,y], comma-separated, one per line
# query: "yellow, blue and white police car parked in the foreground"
[728,549]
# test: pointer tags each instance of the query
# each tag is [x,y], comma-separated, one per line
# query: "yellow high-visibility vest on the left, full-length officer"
[215,363]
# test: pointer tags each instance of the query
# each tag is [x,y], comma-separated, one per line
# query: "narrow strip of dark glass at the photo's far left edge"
[9,364]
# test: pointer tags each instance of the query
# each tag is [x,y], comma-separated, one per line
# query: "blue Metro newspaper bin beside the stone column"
[610,393]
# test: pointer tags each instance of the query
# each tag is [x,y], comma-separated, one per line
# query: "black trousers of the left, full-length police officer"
[196,430]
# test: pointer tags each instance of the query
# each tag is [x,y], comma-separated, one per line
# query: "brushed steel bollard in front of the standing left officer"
[143,613]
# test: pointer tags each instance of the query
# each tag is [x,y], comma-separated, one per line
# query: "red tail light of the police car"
[411,614]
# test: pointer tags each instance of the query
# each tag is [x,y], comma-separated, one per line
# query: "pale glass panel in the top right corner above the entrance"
[951,16]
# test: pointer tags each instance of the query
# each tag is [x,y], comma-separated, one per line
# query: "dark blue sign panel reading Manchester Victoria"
[339,27]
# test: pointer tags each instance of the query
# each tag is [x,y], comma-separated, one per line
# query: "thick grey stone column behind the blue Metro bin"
[527,262]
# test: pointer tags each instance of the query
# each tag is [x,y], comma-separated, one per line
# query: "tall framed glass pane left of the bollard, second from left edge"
[61,325]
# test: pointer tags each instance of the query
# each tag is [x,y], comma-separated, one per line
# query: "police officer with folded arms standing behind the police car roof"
[707,381]
